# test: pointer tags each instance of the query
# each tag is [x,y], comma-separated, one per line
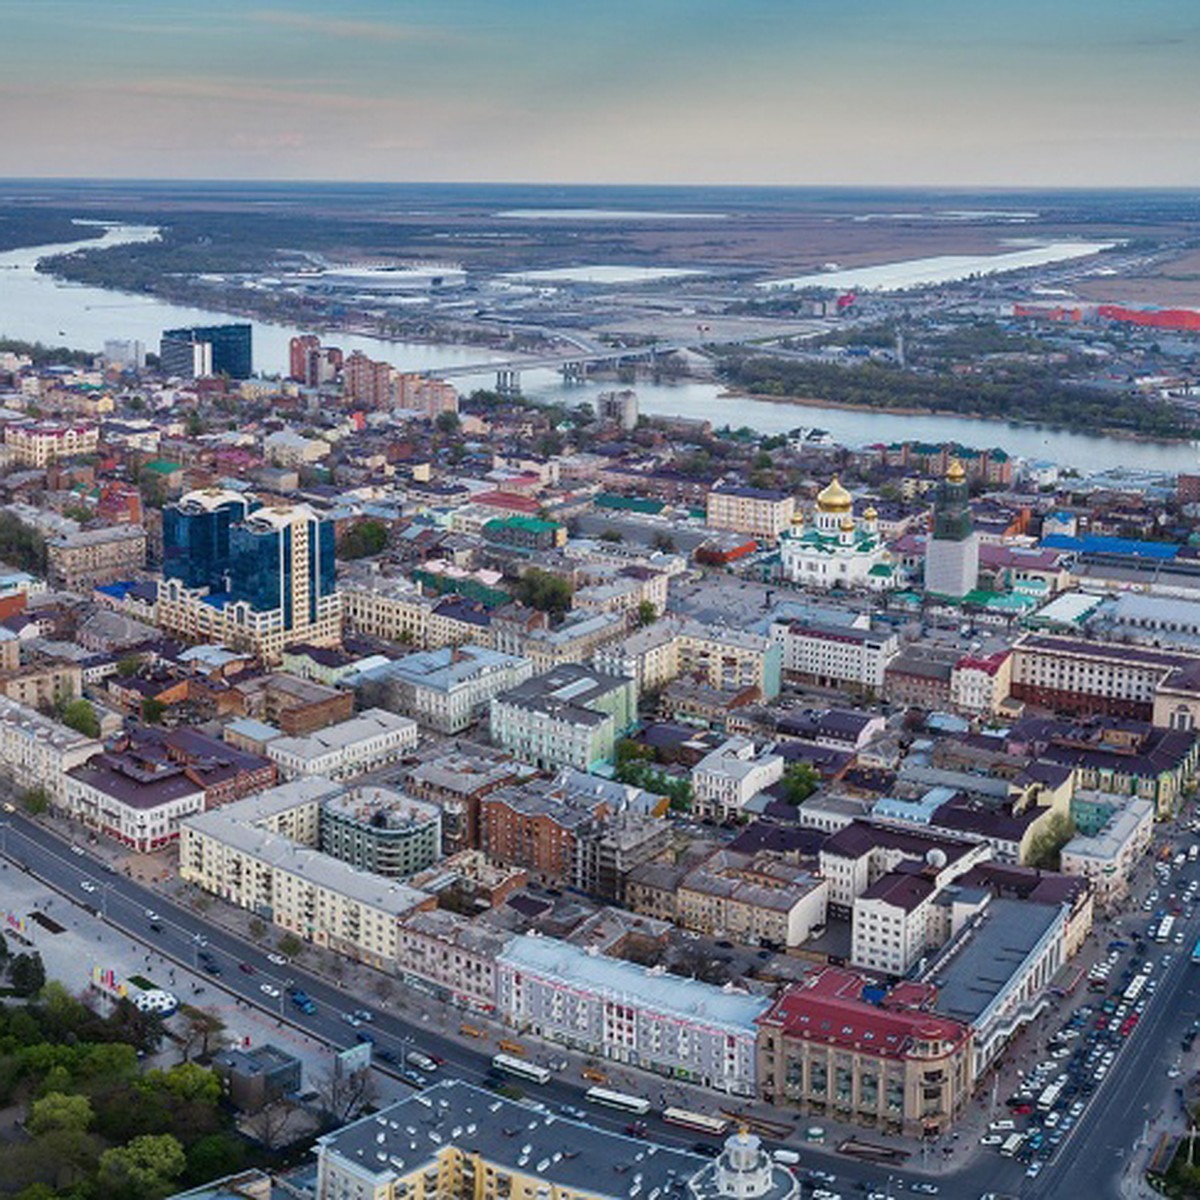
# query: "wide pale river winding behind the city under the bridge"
[40,309]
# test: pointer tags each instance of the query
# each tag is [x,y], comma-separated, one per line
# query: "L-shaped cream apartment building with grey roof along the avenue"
[245,854]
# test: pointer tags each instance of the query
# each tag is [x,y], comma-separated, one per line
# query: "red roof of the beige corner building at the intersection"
[829,1009]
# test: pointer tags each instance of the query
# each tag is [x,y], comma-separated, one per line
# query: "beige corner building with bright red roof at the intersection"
[895,1066]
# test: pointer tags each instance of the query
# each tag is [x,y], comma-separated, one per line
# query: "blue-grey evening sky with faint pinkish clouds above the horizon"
[959,93]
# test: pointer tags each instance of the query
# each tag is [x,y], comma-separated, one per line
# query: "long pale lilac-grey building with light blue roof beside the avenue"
[643,1017]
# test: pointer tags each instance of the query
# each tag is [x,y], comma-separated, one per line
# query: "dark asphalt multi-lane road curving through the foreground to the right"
[1090,1162]
